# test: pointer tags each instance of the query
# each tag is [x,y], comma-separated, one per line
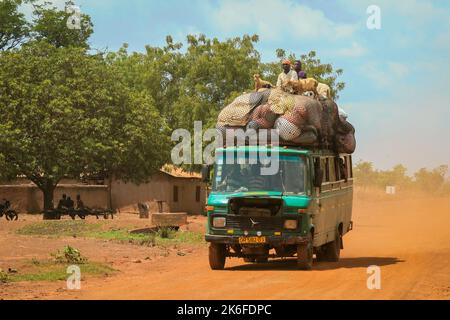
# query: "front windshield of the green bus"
[238,177]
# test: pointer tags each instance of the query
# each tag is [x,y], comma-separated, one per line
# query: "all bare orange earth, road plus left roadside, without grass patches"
[408,237]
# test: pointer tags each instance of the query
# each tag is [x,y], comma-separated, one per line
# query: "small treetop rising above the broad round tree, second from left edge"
[55,27]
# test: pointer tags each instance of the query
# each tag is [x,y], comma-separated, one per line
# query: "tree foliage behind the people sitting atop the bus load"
[313,67]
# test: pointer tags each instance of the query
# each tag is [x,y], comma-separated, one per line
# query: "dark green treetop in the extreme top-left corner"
[13,26]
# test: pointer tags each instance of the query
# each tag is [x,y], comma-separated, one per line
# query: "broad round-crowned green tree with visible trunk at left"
[65,113]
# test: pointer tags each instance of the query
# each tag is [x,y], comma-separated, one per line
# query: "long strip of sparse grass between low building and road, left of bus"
[68,228]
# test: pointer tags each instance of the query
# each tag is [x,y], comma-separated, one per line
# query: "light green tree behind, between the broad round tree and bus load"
[193,83]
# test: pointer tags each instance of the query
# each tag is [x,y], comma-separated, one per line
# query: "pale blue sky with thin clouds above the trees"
[397,77]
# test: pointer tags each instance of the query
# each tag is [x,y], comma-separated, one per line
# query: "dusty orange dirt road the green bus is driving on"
[408,239]
